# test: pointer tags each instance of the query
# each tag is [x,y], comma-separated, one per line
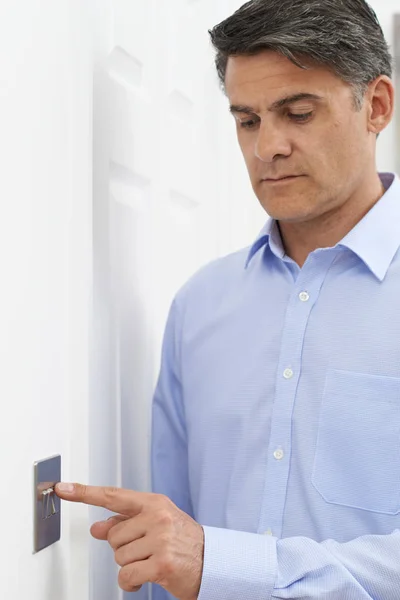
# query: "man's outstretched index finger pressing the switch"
[119,500]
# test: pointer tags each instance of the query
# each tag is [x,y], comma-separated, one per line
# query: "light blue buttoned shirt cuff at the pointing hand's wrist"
[237,565]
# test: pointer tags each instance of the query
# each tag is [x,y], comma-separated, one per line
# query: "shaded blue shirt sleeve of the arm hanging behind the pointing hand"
[169,462]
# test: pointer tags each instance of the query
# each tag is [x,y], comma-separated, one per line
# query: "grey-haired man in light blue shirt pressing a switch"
[276,419]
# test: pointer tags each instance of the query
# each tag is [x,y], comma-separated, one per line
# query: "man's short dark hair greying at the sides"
[343,35]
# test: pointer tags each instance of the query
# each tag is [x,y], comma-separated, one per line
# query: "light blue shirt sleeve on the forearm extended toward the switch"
[252,566]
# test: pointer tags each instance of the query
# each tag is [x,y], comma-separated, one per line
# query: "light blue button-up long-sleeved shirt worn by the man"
[276,418]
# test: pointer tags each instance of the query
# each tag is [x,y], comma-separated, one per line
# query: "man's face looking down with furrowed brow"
[320,140]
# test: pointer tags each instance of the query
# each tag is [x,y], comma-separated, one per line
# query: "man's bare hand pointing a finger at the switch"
[153,540]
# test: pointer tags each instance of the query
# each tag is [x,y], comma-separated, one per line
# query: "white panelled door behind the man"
[165,203]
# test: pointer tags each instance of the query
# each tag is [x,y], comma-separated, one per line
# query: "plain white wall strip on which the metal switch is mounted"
[45,266]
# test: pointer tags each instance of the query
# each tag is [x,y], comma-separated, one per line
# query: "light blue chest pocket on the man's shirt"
[357,458]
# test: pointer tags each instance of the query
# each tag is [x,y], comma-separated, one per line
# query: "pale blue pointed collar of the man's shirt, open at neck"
[375,239]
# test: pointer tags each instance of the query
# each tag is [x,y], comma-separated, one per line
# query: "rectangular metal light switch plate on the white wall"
[47,505]
